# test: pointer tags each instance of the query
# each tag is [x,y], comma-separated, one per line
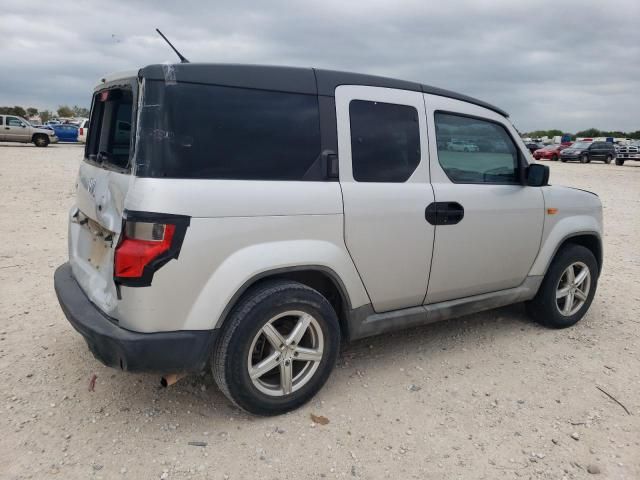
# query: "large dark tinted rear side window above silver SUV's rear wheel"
[207,131]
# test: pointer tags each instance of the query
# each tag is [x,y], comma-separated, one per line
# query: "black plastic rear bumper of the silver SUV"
[163,352]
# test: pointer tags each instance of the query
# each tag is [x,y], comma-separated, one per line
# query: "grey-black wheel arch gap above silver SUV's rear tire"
[323,280]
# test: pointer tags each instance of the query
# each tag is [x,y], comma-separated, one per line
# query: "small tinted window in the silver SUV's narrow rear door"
[385,141]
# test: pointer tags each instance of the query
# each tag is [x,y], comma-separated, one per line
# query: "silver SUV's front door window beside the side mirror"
[472,150]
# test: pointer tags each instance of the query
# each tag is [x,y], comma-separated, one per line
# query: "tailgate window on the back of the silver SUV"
[110,140]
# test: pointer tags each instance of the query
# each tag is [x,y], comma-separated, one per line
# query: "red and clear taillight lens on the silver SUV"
[141,243]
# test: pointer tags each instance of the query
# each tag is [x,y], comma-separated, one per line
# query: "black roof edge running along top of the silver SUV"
[290,79]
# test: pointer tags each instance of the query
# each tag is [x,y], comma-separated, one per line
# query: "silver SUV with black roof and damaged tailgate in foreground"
[249,218]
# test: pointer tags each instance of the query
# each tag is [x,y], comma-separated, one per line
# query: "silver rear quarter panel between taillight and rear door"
[238,230]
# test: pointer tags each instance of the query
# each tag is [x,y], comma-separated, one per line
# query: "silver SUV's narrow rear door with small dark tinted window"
[384,176]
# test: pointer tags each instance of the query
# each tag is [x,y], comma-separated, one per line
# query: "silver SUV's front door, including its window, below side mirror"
[488,225]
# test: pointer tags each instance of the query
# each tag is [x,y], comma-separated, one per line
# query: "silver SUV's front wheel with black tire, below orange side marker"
[546,308]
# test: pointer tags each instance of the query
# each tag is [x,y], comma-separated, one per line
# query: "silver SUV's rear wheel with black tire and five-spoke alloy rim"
[243,345]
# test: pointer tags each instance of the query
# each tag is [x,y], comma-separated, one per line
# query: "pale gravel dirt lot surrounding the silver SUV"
[483,397]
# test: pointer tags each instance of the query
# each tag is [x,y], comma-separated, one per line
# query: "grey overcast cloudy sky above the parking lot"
[552,64]
